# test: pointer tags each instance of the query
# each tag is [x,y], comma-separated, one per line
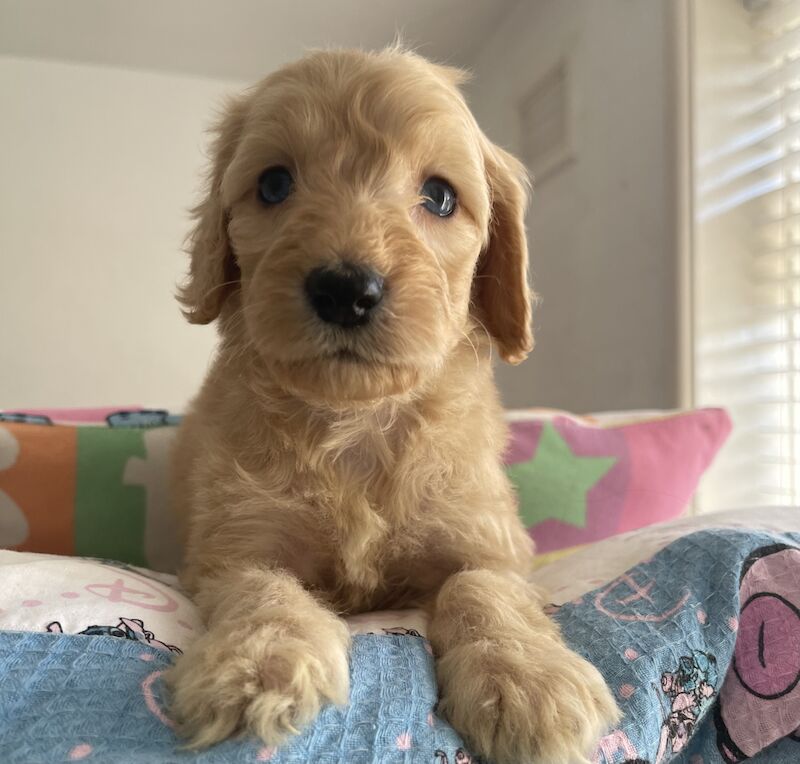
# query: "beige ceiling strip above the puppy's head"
[236,39]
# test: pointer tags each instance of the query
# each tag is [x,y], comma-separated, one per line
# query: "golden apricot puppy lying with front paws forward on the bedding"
[362,248]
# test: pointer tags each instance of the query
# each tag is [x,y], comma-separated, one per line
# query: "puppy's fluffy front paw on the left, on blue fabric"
[255,680]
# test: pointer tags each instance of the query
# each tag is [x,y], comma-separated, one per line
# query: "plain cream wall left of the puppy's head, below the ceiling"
[99,166]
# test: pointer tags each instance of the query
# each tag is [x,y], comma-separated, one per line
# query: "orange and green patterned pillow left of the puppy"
[95,489]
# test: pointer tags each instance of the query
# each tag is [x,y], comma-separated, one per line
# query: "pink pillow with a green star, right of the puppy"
[581,479]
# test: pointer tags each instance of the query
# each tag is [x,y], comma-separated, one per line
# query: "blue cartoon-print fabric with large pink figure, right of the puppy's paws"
[701,644]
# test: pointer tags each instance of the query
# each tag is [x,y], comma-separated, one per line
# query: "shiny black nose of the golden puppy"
[344,296]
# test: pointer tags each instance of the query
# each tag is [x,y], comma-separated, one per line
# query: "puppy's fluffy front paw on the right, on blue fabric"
[516,705]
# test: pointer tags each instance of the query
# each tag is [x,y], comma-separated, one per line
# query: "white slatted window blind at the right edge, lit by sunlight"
[747,246]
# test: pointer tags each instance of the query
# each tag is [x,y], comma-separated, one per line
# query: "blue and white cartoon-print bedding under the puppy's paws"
[695,624]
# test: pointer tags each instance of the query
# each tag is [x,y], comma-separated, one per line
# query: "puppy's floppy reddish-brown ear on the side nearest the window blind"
[501,292]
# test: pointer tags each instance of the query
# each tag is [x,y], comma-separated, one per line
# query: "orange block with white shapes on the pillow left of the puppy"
[37,487]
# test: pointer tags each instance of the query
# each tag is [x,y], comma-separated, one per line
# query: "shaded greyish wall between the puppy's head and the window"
[602,230]
